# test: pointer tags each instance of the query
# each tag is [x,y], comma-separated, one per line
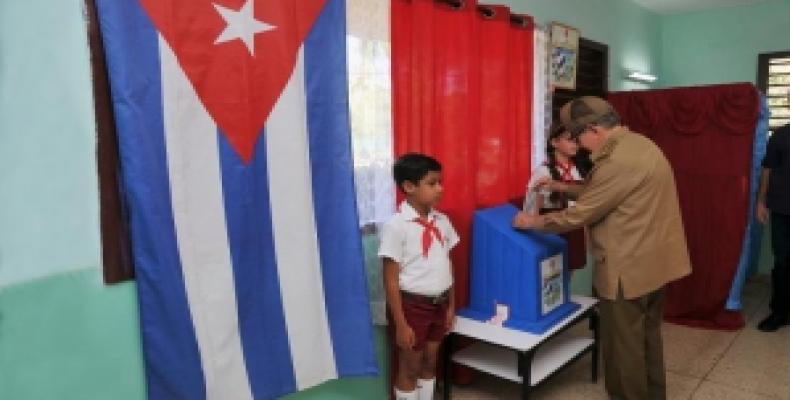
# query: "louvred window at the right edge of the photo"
[773,79]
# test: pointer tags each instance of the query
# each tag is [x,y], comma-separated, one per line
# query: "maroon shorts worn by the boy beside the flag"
[427,320]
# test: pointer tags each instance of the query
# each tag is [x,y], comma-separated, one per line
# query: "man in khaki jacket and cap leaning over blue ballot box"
[630,204]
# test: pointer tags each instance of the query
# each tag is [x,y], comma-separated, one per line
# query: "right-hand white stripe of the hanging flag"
[295,236]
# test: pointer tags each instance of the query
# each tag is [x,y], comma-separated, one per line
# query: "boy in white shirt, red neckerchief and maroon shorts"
[415,246]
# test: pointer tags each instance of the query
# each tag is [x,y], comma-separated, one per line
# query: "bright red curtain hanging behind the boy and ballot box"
[462,92]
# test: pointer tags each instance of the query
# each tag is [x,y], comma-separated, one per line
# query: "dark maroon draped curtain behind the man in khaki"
[707,135]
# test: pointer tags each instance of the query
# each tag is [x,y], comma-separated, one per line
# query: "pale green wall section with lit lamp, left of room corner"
[631,32]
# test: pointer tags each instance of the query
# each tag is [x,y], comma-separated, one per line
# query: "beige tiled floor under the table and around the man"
[701,364]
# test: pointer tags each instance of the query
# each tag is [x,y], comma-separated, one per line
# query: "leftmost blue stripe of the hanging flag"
[173,368]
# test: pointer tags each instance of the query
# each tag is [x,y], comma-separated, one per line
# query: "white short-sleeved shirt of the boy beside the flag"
[401,241]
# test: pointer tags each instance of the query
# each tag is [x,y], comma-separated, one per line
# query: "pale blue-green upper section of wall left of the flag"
[48,219]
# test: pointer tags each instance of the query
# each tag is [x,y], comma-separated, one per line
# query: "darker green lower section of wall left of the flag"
[70,337]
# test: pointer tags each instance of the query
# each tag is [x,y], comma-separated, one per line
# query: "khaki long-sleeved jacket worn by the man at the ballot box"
[630,205]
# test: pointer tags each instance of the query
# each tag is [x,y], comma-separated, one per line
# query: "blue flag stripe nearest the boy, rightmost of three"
[340,245]
